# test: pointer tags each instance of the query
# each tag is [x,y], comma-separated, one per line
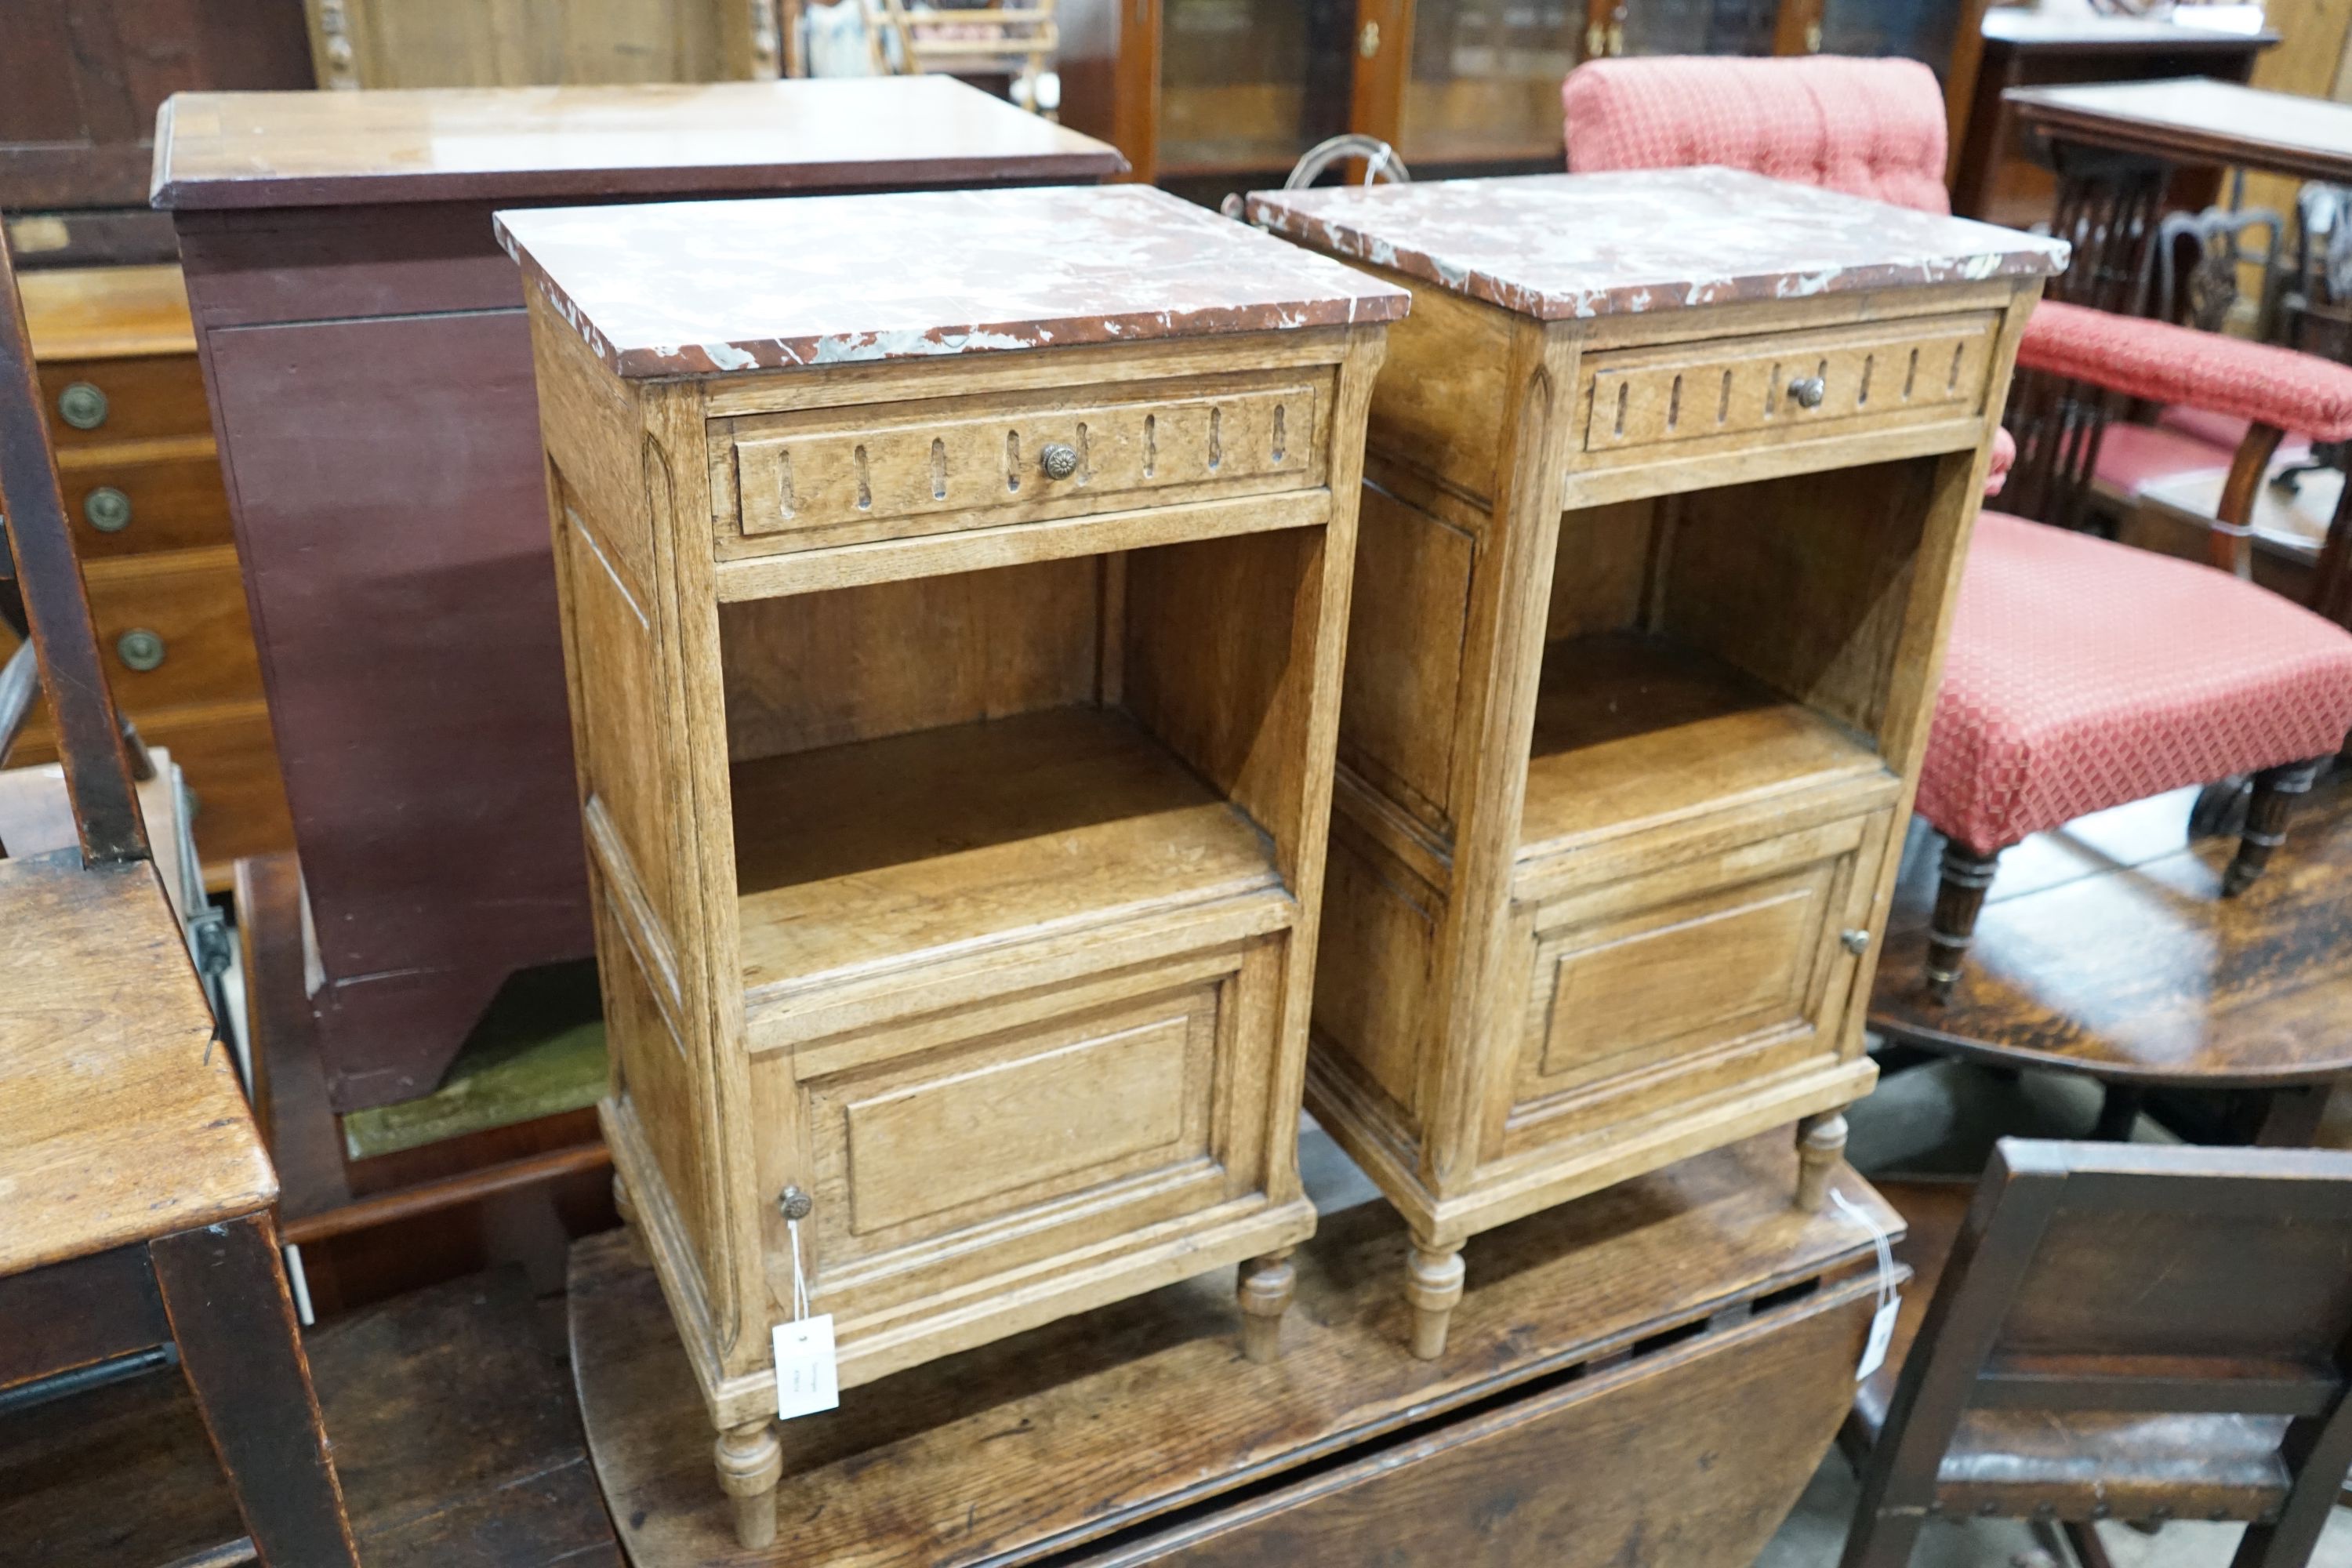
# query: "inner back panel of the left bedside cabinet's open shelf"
[860,664]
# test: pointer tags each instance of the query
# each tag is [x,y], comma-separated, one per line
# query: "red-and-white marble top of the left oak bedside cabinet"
[697,288]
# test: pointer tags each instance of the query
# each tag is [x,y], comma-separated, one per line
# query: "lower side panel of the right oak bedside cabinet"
[1372,970]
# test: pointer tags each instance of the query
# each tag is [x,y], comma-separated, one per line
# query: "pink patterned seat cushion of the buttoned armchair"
[2085,676]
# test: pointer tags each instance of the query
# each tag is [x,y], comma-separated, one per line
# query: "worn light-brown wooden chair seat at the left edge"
[123,1113]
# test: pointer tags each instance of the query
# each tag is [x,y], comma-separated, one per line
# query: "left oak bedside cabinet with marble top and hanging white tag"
[954,596]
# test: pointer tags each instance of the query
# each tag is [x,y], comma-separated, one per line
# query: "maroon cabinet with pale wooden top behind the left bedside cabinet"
[370,380]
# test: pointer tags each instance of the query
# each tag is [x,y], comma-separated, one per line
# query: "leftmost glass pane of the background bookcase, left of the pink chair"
[1250,83]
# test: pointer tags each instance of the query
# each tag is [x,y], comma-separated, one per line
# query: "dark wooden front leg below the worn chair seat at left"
[225,1294]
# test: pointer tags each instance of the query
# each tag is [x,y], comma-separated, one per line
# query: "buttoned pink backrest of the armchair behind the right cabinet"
[1859,126]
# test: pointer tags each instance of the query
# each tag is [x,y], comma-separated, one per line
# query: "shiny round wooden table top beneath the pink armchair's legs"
[2109,946]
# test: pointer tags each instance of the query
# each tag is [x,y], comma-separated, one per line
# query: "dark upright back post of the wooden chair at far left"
[46,584]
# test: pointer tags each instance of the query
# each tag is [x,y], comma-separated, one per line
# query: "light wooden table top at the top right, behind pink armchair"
[2198,121]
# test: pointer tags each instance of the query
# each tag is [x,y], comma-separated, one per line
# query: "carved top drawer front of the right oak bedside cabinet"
[1789,387]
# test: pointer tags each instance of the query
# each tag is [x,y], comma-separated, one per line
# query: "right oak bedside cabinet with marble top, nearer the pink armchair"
[1669,490]
